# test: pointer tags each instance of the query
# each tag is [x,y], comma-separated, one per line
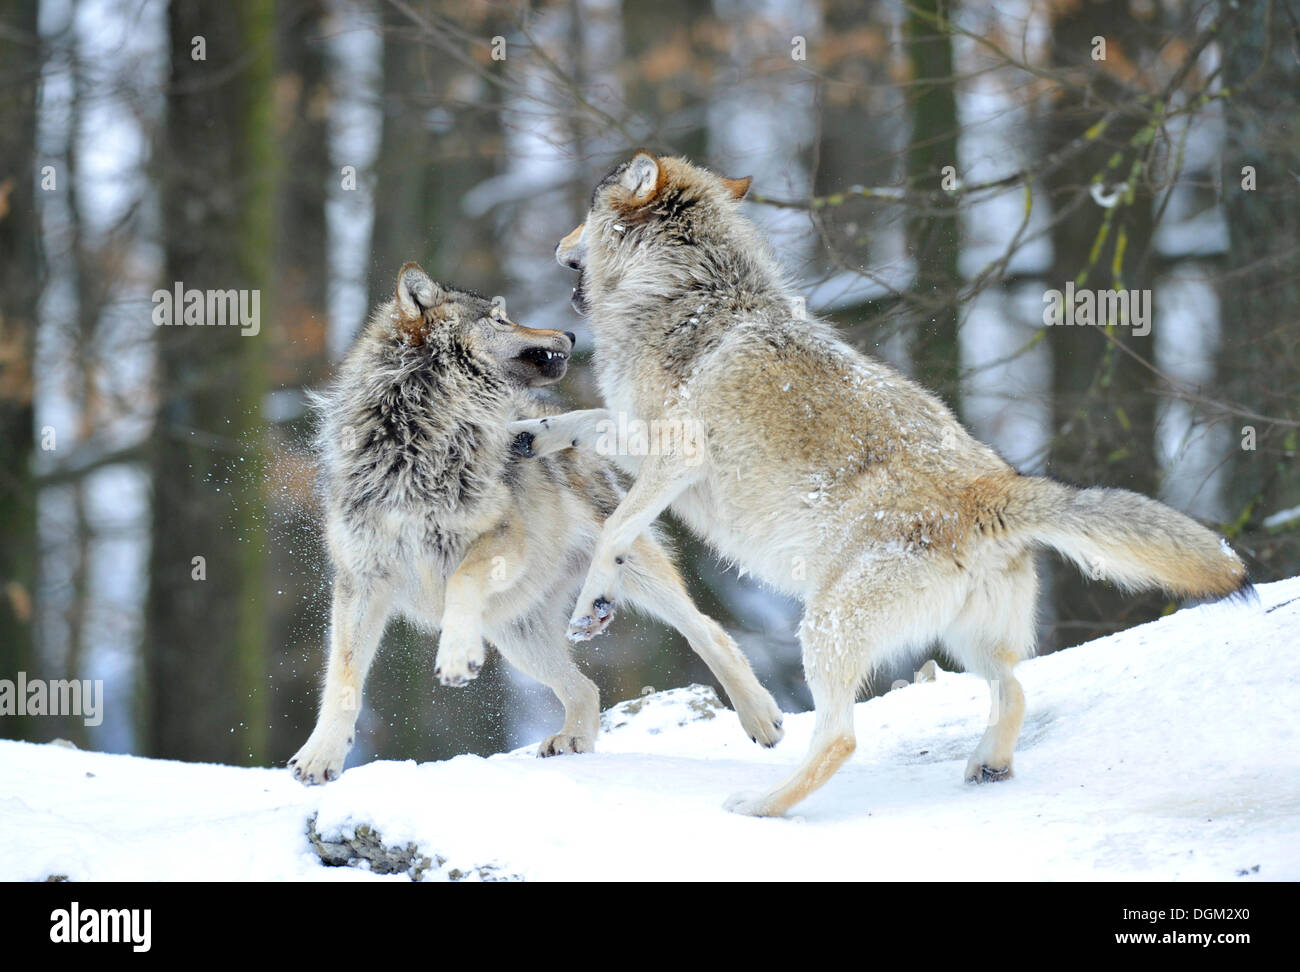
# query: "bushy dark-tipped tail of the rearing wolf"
[1126,539]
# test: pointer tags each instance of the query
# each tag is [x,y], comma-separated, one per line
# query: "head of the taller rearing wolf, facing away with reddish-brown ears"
[644,216]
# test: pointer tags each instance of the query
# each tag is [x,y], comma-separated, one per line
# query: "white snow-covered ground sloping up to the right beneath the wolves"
[1168,752]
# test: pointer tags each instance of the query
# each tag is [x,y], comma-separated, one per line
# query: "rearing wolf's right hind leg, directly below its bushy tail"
[990,636]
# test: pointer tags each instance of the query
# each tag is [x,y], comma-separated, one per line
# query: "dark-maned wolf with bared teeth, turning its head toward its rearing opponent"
[430,514]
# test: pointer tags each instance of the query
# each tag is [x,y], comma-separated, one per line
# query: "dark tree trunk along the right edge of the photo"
[1260,359]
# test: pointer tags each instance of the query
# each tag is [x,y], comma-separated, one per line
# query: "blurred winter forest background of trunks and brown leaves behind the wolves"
[928,171]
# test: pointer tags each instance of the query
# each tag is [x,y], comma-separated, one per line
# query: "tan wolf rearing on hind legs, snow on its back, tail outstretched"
[827,474]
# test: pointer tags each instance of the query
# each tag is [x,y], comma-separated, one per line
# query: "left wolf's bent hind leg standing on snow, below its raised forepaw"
[539,650]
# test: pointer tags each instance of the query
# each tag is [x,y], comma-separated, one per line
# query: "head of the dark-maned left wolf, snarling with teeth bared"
[427,314]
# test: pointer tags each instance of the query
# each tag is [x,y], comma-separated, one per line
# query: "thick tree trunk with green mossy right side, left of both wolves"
[205,693]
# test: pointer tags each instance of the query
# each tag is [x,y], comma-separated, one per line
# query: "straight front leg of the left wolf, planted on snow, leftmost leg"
[358,614]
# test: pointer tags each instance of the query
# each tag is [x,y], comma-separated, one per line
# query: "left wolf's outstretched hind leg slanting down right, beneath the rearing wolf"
[651,583]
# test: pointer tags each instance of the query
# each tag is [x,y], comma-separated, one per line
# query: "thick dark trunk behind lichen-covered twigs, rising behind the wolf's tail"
[1104,415]
